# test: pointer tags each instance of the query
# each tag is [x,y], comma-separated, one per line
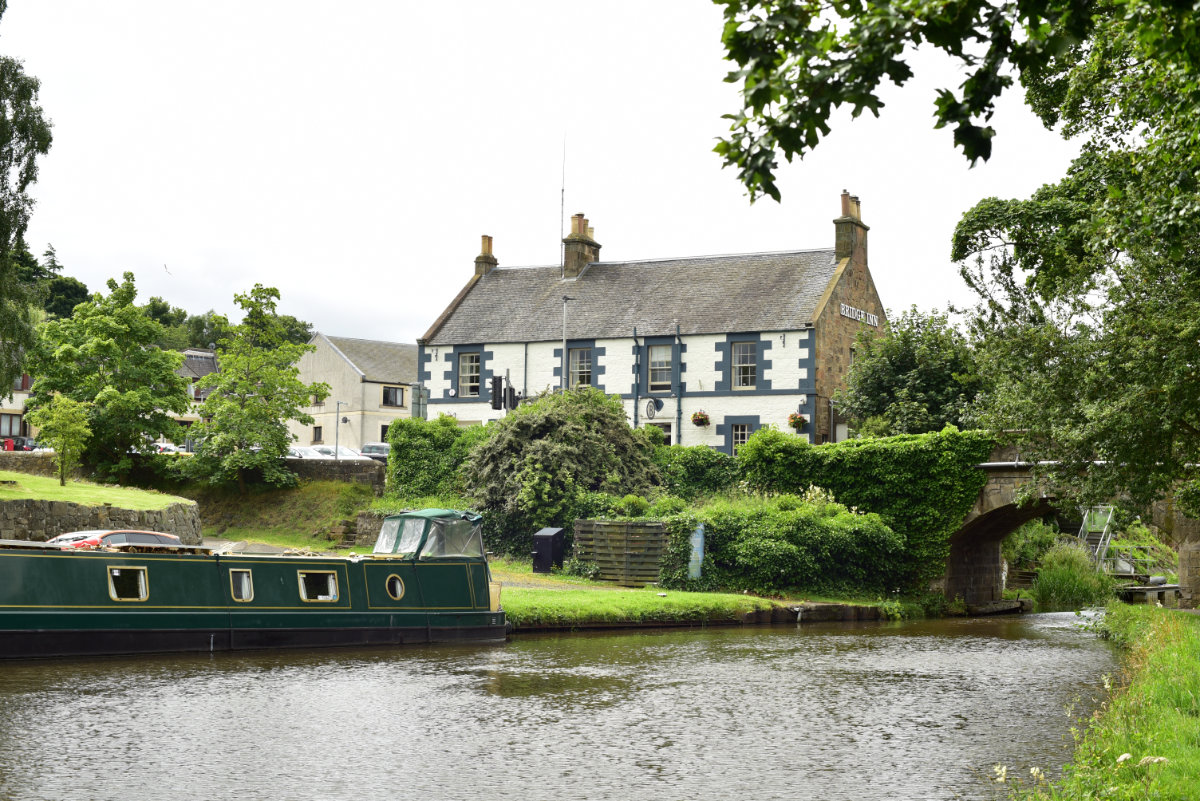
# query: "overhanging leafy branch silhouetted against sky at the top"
[797,64]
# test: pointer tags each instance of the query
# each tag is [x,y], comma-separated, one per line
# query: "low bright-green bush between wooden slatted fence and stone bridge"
[766,546]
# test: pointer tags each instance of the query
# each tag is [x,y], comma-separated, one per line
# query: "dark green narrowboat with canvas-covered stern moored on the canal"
[427,582]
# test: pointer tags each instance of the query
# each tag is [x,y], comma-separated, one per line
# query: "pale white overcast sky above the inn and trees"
[352,154]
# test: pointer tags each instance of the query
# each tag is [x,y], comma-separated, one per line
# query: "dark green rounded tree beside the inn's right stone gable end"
[920,377]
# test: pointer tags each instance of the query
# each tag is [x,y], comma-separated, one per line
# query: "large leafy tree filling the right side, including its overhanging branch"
[1090,290]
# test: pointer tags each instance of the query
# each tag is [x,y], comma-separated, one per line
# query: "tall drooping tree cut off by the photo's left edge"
[25,136]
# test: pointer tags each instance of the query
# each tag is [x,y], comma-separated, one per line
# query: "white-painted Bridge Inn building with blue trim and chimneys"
[707,348]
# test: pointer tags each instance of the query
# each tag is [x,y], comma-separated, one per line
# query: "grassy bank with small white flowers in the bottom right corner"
[1145,742]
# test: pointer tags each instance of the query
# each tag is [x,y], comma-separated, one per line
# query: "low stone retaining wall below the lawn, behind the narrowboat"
[41,520]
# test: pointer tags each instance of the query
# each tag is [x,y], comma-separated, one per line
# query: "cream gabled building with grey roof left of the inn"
[370,386]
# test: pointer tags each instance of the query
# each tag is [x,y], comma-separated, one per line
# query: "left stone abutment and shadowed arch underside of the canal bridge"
[975,569]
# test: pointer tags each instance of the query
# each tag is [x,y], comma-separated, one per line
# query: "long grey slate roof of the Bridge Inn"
[754,292]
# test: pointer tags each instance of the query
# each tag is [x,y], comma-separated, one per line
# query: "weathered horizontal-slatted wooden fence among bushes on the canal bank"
[628,552]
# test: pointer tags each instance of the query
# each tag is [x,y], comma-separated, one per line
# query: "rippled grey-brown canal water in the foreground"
[913,712]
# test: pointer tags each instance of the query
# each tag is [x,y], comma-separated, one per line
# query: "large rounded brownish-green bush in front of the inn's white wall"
[541,461]
